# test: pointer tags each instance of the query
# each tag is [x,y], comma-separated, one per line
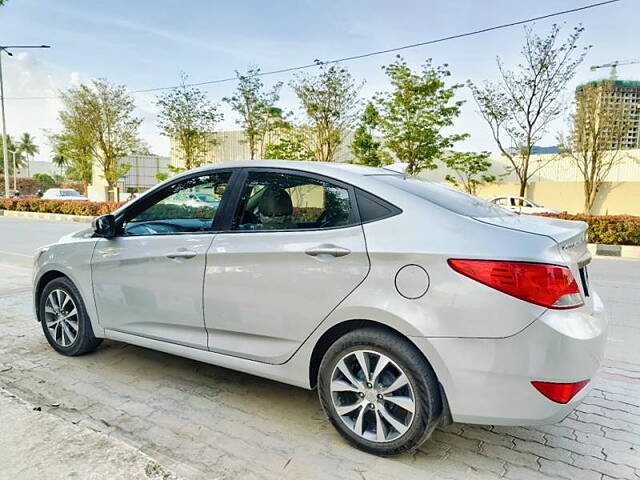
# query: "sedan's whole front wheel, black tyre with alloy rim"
[72,335]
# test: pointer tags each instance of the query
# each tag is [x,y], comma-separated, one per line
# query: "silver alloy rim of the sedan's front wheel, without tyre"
[61,317]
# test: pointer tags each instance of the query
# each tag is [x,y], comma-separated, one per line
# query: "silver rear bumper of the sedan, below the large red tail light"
[488,381]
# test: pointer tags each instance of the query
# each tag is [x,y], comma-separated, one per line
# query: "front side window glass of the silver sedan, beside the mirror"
[186,207]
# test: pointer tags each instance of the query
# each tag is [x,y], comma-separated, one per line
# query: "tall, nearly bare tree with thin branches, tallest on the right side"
[520,107]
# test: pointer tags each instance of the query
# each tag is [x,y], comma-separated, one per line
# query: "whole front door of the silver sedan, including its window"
[147,280]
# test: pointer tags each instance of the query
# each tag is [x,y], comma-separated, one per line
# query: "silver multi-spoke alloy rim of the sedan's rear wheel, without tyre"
[373,396]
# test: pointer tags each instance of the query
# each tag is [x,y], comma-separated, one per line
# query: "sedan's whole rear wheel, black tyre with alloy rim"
[380,425]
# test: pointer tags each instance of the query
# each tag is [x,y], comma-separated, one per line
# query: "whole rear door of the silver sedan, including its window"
[293,251]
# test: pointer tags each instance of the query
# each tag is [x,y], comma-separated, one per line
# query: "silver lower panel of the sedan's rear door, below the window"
[265,292]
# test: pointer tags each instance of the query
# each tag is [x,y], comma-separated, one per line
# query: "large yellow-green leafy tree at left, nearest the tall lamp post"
[100,118]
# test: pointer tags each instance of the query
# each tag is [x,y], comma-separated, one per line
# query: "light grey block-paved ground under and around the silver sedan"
[202,421]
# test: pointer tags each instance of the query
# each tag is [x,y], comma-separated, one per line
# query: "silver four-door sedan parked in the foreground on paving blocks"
[407,304]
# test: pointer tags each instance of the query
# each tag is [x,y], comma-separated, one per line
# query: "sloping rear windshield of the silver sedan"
[444,196]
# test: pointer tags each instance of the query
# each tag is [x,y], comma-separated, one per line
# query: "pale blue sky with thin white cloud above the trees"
[149,43]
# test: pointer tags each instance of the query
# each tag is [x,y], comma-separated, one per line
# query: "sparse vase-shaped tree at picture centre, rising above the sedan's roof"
[328,101]
